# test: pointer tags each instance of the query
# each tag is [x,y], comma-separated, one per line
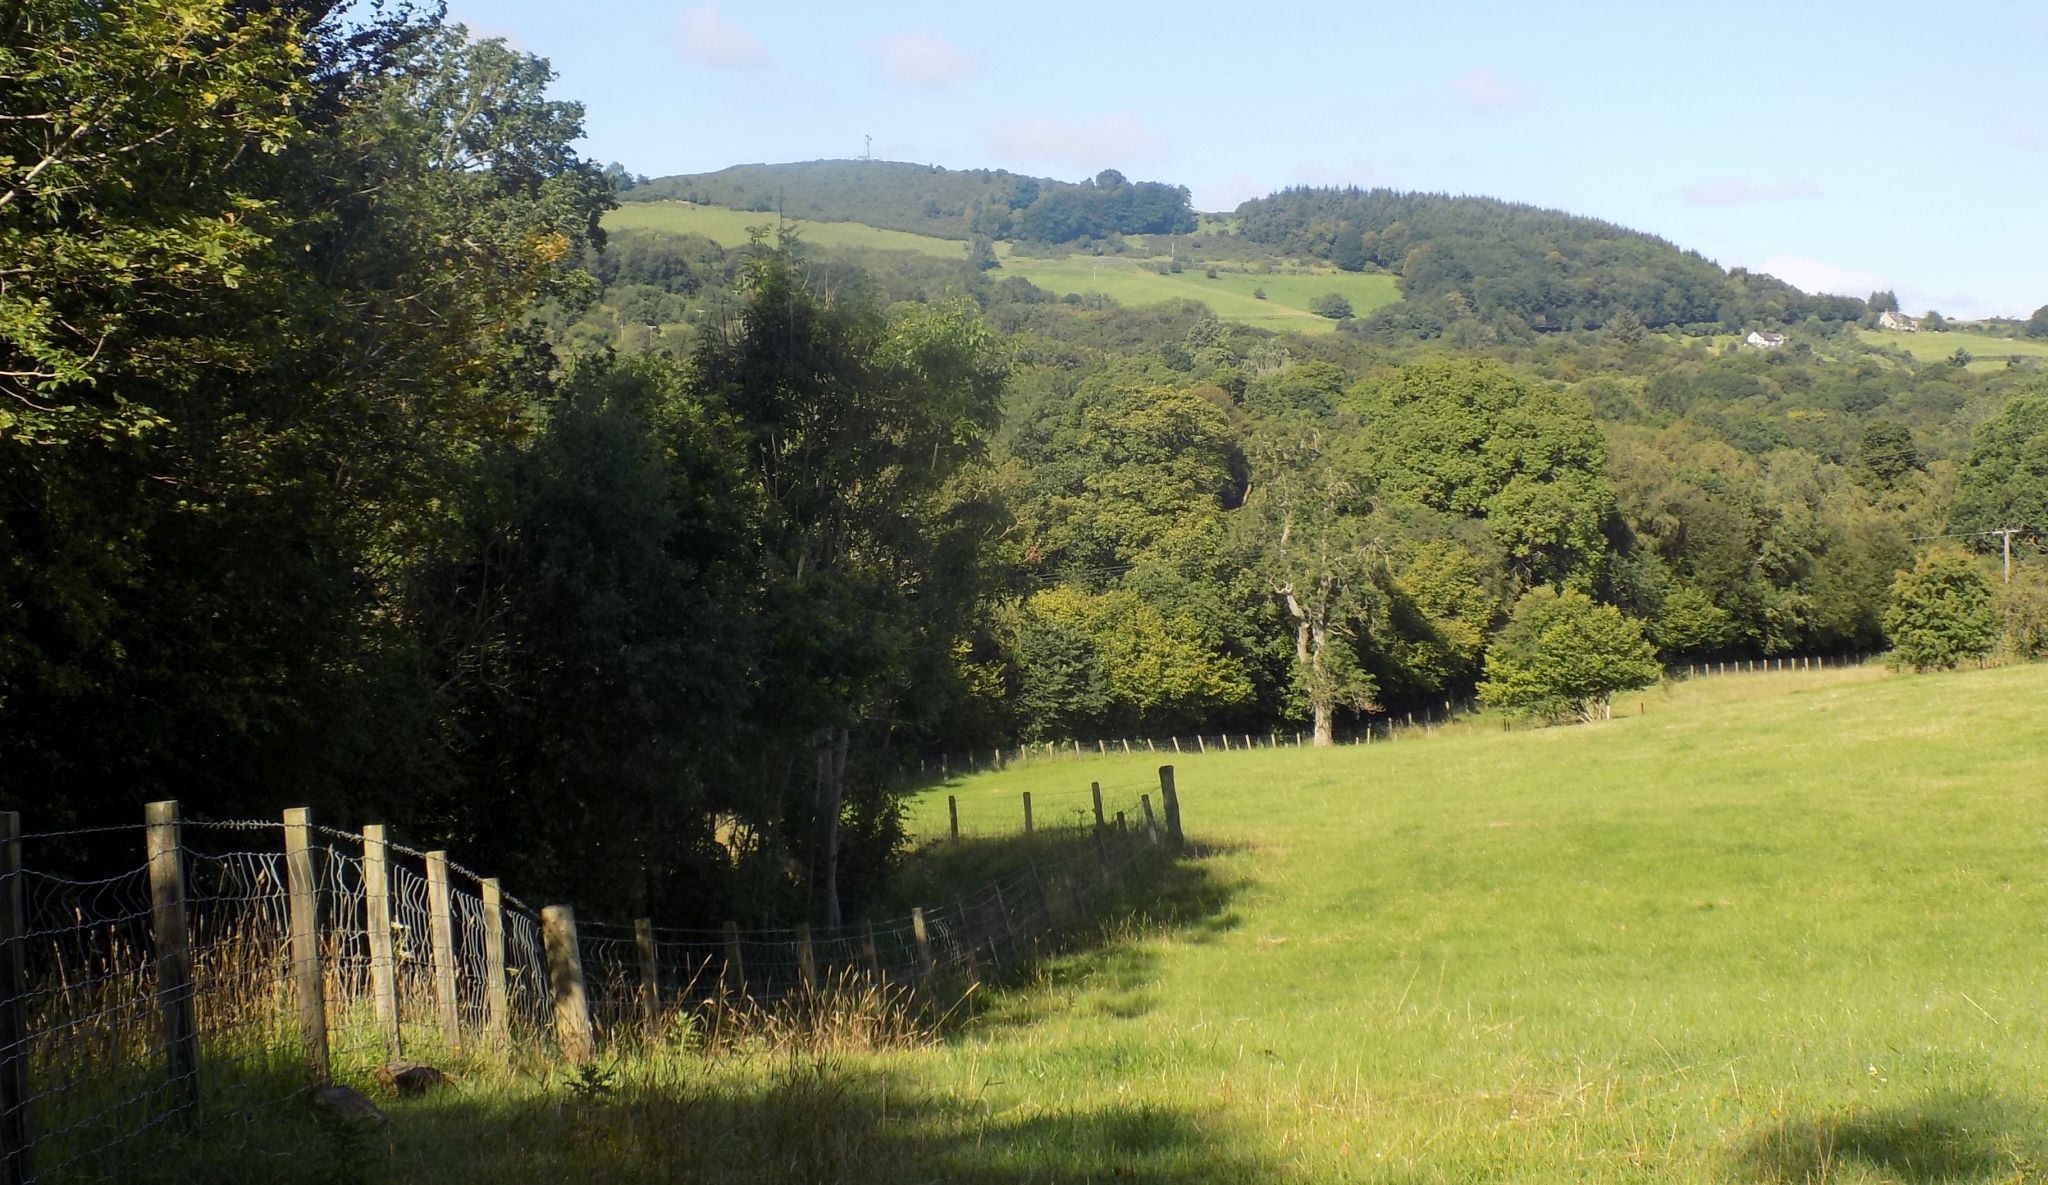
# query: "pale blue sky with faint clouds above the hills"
[1844,148]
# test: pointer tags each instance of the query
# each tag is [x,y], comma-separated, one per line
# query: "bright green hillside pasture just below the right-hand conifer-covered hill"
[1230,296]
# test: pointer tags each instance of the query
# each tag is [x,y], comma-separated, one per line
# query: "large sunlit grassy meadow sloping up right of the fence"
[1756,928]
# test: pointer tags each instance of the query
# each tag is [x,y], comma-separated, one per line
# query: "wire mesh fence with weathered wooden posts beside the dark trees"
[232,967]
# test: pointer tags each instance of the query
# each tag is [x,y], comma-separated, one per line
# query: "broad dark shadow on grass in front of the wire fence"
[773,1121]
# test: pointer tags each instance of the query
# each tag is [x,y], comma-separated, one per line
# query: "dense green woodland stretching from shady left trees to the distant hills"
[347,464]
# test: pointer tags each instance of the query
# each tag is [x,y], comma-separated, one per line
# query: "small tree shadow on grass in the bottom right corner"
[1947,1139]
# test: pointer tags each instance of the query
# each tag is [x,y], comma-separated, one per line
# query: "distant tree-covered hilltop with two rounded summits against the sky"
[1453,257]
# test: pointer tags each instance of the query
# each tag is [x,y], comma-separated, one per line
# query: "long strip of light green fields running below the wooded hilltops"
[1123,279]
